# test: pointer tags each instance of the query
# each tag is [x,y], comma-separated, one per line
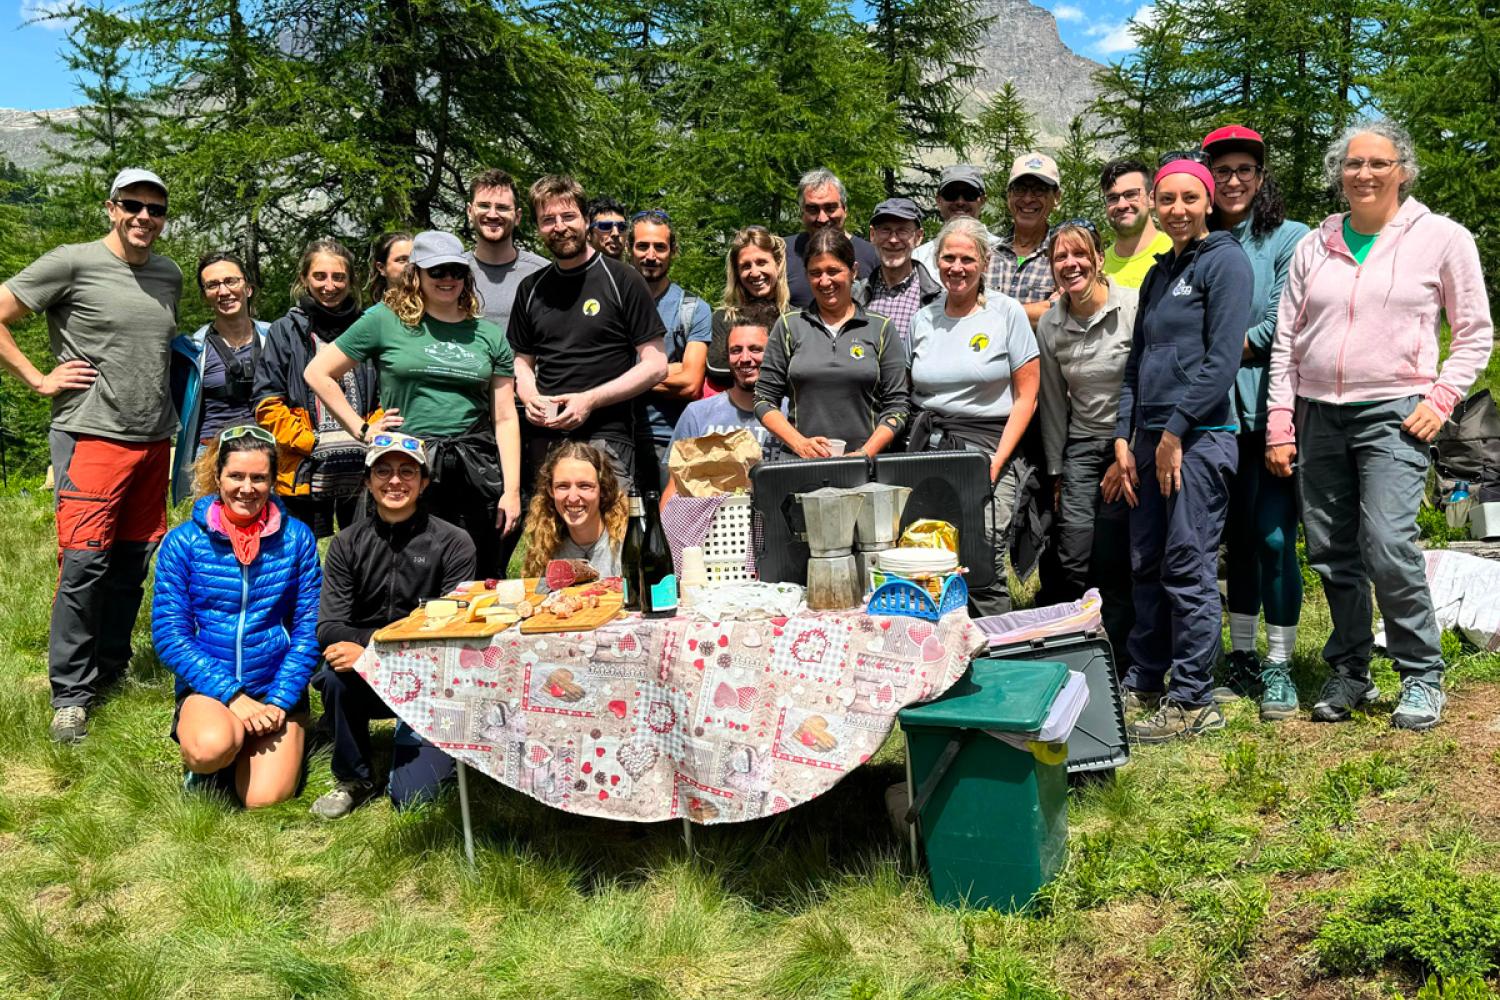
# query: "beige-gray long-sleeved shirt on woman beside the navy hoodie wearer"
[1082,367]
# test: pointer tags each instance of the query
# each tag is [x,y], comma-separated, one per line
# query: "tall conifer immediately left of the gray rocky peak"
[931,50]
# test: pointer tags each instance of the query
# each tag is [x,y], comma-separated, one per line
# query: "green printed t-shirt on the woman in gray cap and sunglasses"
[437,374]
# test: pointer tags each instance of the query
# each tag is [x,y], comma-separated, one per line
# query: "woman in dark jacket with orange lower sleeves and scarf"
[319,466]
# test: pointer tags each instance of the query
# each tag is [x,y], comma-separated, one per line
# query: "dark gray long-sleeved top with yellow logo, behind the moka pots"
[841,385]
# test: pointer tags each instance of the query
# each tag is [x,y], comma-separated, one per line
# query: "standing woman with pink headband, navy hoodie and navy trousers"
[1175,454]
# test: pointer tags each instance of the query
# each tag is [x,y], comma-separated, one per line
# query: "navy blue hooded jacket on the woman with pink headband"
[1190,334]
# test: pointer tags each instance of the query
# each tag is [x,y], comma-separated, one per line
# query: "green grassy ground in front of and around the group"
[1268,861]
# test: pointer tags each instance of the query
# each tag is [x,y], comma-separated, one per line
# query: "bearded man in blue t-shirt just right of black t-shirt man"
[686,319]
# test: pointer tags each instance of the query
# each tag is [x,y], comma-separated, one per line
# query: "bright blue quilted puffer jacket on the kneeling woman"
[227,629]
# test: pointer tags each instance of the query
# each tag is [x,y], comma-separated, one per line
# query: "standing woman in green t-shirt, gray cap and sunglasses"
[446,377]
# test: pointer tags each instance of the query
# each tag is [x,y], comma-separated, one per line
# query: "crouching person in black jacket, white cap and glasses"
[376,573]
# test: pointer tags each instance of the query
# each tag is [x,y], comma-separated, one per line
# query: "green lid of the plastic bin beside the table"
[1010,696]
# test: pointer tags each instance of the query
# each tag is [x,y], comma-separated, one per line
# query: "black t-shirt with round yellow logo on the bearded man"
[583,329]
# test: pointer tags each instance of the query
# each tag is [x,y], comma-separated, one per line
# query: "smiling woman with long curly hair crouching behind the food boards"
[578,510]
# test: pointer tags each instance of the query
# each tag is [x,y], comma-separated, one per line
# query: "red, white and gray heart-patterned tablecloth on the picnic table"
[653,720]
